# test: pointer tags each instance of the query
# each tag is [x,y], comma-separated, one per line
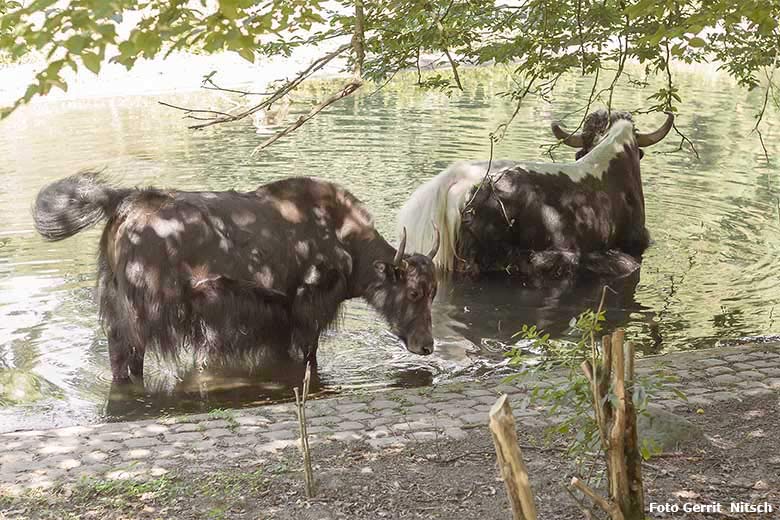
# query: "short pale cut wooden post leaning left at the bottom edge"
[510,460]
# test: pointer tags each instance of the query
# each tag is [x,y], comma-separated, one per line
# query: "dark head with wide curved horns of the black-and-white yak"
[596,126]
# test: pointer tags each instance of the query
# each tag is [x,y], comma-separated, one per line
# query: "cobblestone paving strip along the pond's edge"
[147,449]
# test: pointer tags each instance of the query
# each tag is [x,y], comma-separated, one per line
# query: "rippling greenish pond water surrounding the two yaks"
[710,277]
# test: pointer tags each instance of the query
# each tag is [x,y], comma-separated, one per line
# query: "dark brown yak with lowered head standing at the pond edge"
[228,272]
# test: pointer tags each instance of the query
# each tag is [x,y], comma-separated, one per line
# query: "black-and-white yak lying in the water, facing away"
[542,220]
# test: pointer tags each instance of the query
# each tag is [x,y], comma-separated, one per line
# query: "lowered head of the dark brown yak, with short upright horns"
[404,295]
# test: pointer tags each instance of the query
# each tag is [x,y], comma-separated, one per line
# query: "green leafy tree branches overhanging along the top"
[540,39]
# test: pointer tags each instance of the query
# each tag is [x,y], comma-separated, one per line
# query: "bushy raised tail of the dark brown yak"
[69,205]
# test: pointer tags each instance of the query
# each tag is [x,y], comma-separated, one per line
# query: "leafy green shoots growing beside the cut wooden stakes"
[572,396]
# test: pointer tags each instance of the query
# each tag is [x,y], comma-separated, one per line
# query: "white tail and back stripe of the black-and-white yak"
[441,200]
